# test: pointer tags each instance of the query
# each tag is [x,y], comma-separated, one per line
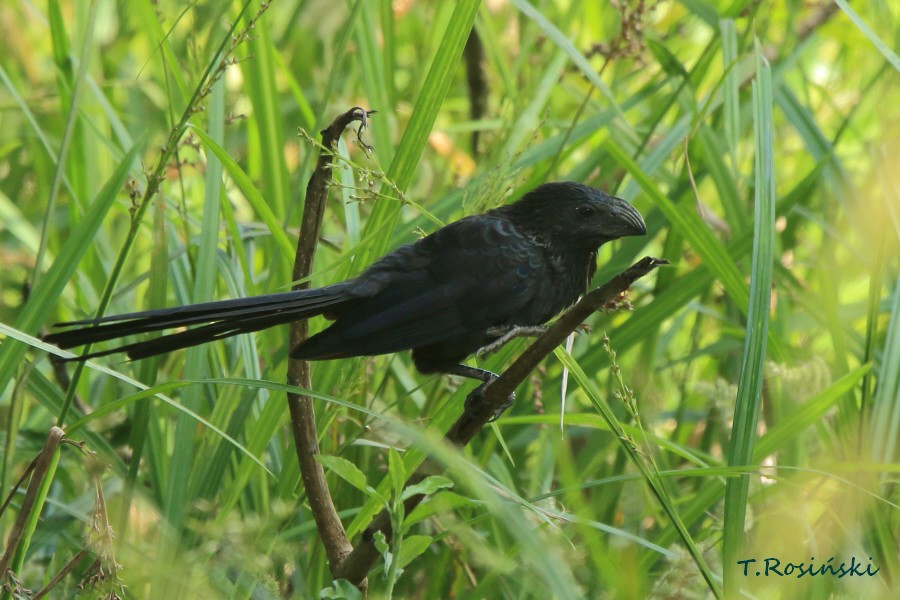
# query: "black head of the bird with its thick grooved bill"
[575,216]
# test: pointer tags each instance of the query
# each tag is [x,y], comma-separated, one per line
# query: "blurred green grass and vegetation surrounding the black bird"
[191,490]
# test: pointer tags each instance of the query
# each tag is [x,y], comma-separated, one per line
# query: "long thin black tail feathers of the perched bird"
[217,320]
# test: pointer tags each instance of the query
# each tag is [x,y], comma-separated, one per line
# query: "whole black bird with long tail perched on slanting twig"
[444,296]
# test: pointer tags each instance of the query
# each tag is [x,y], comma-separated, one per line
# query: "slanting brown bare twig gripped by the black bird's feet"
[358,563]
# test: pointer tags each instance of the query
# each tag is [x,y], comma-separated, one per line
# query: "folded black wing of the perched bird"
[463,279]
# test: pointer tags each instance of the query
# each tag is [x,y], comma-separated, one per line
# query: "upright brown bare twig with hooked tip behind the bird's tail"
[303,417]
